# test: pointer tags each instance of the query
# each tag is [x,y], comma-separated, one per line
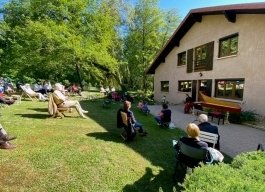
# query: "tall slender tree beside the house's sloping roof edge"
[148,30]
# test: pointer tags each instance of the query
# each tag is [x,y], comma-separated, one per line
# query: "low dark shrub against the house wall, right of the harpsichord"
[243,116]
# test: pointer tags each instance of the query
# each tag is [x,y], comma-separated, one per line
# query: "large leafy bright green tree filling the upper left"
[48,38]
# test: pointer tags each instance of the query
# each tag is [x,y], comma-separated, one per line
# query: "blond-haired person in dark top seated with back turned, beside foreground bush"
[192,140]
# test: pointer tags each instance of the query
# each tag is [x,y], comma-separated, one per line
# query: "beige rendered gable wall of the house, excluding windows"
[248,64]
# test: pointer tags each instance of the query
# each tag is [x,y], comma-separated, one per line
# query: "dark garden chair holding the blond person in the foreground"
[187,158]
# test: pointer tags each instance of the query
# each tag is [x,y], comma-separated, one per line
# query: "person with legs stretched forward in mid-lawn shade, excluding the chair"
[131,118]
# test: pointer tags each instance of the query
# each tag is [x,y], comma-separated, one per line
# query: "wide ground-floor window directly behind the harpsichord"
[230,89]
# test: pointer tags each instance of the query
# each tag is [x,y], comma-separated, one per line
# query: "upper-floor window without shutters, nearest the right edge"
[228,45]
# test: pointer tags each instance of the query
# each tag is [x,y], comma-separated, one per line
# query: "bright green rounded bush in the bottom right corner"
[246,173]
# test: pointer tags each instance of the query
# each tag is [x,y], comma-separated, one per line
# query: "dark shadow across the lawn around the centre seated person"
[156,147]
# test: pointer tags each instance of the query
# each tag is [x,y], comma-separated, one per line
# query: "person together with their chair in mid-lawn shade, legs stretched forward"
[126,120]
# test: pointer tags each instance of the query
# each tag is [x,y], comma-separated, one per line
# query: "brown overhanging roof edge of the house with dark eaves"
[195,15]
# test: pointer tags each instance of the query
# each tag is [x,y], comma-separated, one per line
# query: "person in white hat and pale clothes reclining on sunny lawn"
[62,101]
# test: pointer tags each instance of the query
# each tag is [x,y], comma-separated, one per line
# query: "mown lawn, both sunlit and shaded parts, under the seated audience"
[74,154]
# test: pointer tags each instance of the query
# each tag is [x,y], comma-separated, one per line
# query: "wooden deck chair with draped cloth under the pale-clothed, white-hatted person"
[53,108]
